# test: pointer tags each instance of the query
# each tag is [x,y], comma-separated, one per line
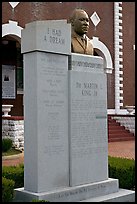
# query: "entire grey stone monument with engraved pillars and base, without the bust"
[65,129]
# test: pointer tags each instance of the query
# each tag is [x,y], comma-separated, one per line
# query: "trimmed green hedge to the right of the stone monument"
[124,170]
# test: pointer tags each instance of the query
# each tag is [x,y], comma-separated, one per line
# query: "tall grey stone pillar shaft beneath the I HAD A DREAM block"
[46,121]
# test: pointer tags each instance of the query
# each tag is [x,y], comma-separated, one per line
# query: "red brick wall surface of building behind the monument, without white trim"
[26,12]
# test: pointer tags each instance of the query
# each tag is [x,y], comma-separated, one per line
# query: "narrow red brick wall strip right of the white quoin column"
[129,53]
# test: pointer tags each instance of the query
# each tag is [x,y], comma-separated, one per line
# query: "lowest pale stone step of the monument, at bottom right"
[122,195]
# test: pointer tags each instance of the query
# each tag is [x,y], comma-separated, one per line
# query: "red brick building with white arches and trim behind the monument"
[112,31]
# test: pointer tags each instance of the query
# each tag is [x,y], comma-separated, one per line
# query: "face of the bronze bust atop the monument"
[80,23]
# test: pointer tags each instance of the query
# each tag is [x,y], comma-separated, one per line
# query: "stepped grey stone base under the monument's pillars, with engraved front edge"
[103,191]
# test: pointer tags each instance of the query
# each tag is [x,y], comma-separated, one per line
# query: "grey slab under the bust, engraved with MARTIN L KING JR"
[88,126]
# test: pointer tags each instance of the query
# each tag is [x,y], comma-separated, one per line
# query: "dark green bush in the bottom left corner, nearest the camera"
[7,190]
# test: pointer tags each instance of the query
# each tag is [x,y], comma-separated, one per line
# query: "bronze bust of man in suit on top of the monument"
[80,43]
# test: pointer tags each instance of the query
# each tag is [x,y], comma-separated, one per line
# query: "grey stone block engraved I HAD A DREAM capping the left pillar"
[50,36]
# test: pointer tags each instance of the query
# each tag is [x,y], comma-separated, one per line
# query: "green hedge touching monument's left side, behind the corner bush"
[16,173]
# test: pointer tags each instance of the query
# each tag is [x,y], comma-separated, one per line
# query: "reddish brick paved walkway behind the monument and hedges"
[122,149]
